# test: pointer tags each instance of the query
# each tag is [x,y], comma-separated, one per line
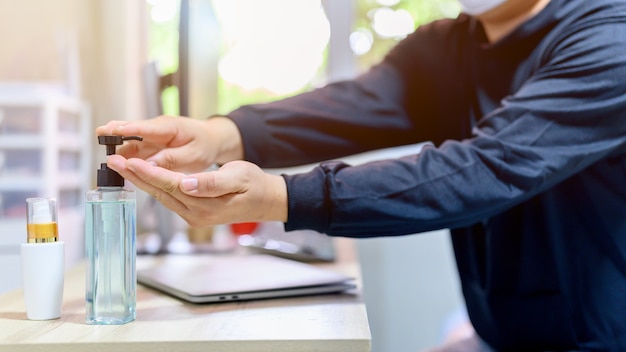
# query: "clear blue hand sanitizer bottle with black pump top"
[110,244]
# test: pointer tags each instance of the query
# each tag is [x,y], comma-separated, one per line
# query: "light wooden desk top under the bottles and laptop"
[336,322]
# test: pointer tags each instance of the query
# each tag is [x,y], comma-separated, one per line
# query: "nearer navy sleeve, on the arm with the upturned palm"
[569,114]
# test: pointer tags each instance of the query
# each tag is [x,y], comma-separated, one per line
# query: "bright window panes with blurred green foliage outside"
[270,49]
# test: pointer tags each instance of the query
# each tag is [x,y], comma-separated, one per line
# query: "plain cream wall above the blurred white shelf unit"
[109,36]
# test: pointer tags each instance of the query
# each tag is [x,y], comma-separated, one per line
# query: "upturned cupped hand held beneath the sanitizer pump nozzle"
[239,191]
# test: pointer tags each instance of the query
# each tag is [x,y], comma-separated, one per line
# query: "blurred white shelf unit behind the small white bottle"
[44,151]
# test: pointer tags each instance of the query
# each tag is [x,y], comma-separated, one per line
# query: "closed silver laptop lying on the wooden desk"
[225,278]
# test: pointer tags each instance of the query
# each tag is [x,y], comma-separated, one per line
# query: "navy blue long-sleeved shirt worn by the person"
[527,166]
